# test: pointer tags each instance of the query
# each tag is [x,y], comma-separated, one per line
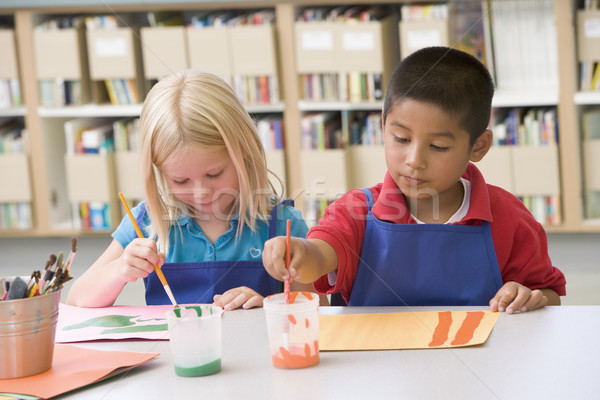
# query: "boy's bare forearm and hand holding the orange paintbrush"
[310,259]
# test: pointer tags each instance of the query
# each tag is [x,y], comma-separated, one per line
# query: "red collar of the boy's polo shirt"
[390,205]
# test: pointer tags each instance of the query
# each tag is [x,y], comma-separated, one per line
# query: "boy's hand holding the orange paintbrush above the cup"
[274,257]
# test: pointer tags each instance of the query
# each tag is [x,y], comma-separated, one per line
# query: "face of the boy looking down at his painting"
[426,151]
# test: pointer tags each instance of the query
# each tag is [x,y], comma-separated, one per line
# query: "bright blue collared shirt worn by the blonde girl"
[190,244]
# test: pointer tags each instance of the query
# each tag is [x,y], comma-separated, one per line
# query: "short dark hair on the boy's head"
[453,80]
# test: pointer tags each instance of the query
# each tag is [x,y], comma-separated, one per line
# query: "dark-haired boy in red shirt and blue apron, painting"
[433,233]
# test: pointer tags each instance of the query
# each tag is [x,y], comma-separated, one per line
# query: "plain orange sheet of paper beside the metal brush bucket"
[74,367]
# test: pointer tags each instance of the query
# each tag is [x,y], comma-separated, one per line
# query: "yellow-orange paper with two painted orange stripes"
[407,330]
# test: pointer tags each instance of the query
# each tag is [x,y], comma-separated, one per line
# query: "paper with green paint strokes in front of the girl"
[78,324]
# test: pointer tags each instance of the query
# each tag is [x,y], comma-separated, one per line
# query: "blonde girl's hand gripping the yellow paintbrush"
[139,258]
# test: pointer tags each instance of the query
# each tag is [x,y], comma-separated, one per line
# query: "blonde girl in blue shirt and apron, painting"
[210,205]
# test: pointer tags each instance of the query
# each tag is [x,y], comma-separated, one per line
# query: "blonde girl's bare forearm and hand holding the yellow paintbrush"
[102,283]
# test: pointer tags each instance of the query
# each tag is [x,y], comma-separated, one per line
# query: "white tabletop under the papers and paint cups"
[548,353]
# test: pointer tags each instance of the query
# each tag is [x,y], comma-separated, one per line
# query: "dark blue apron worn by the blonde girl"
[198,282]
